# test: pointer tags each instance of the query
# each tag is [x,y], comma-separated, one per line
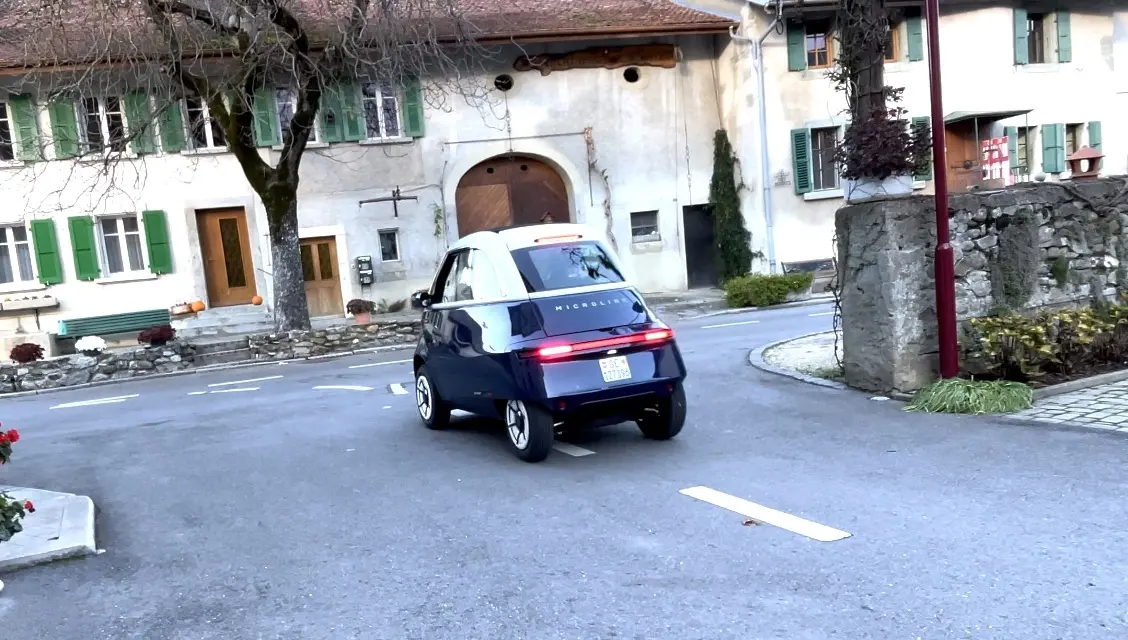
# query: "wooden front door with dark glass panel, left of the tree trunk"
[230,270]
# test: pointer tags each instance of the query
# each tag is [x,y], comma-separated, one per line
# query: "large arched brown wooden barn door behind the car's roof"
[510,190]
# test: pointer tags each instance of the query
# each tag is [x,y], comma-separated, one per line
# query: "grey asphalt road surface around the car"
[292,512]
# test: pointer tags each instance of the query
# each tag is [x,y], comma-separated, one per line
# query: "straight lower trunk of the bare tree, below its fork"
[292,310]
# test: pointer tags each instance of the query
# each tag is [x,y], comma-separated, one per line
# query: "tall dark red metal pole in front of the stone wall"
[946,268]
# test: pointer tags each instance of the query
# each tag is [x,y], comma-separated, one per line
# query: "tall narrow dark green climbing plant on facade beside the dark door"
[734,242]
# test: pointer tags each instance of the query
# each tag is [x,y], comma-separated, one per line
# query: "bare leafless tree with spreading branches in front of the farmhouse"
[227,55]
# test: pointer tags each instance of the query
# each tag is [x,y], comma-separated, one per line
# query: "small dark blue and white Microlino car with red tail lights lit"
[537,326]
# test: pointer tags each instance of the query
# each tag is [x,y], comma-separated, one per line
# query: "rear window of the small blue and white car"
[565,266]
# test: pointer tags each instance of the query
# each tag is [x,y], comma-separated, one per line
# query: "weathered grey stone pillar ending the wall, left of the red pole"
[888,300]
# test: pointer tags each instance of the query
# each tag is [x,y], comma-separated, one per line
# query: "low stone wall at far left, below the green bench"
[70,371]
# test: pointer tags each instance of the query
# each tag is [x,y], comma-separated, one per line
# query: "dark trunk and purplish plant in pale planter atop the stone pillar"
[880,153]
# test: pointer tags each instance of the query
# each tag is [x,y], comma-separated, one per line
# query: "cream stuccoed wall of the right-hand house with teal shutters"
[979,74]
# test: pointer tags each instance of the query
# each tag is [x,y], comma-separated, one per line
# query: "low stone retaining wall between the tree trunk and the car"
[333,340]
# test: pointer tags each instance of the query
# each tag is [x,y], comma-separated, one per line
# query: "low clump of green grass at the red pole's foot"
[977,398]
